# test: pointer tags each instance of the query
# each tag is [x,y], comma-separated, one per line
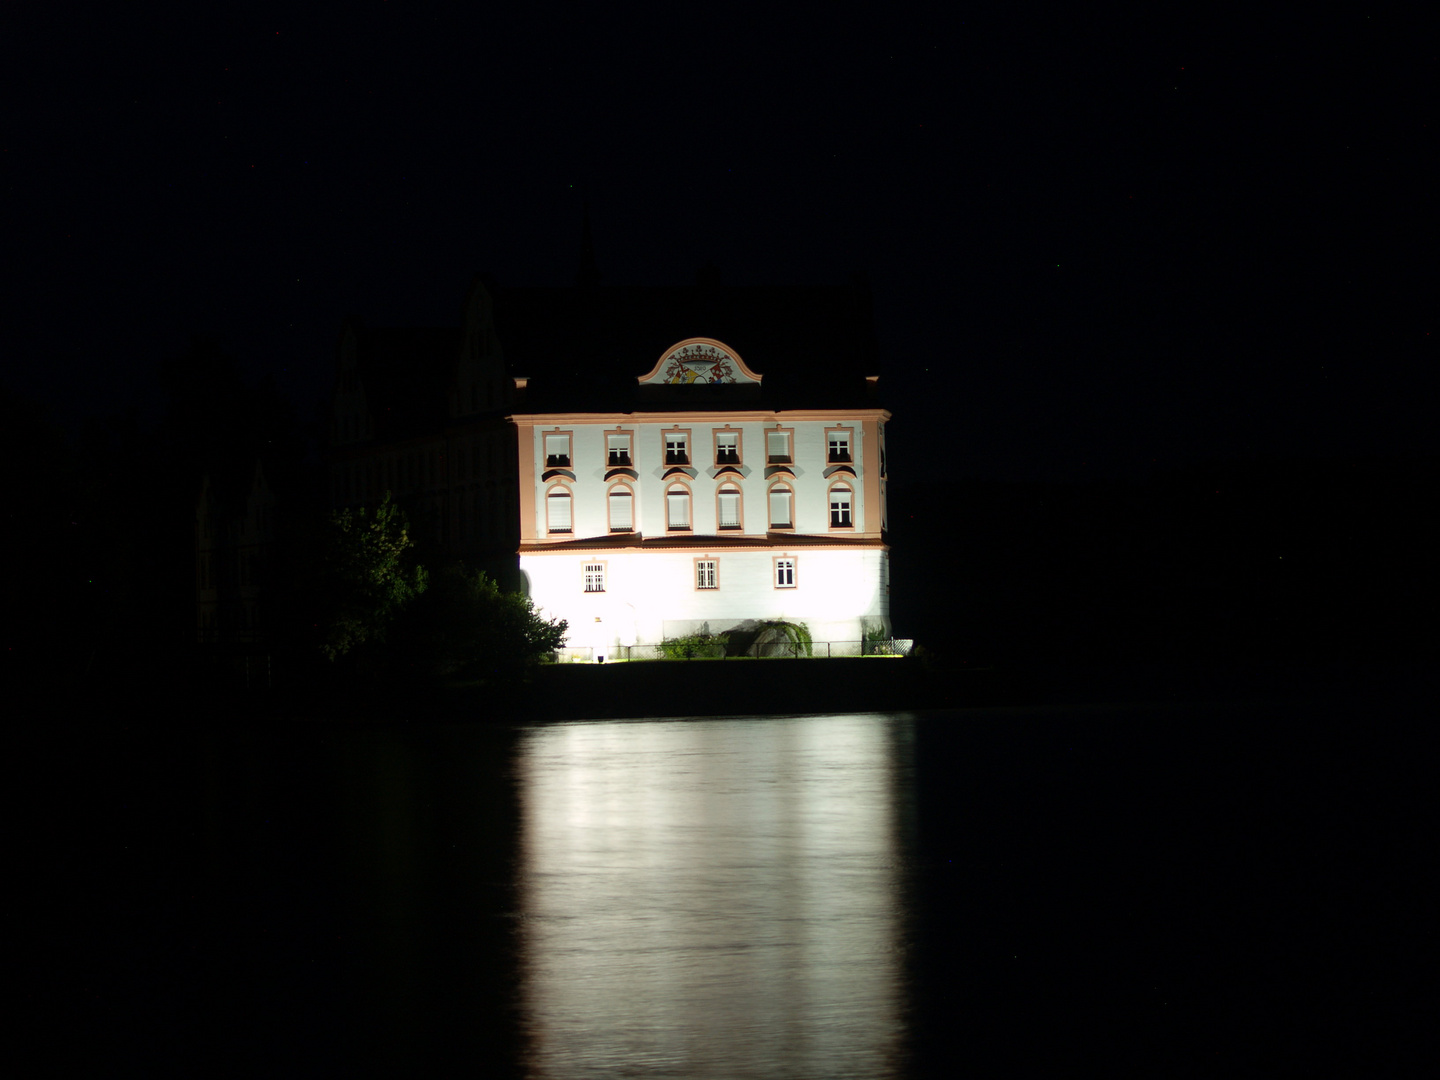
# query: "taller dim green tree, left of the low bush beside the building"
[366,578]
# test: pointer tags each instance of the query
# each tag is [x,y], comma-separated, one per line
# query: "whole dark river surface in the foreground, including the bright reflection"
[1189,891]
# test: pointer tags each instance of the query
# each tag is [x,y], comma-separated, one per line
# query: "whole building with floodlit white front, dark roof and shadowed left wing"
[650,482]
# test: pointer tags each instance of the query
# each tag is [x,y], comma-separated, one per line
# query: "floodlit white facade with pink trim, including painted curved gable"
[653,525]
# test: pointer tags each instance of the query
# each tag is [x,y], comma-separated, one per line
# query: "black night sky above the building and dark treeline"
[1099,246]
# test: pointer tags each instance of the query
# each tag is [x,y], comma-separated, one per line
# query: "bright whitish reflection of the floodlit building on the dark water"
[714,898]
